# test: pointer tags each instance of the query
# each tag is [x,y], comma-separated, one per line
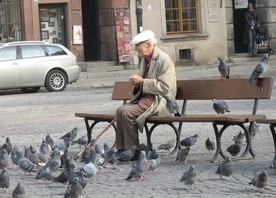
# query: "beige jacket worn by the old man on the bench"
[161,81]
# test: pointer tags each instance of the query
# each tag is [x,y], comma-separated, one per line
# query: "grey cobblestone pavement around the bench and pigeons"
[27,118]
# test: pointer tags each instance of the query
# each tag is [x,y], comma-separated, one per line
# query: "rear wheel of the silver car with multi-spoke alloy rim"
[56,80]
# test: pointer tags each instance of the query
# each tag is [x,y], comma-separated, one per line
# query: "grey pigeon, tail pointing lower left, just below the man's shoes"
[140,168]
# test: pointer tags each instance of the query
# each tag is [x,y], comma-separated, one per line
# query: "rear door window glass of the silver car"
[32,51]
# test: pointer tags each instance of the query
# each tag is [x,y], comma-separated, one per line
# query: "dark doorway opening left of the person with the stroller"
[239,25]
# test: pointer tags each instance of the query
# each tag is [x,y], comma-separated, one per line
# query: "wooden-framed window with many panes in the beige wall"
[181,16]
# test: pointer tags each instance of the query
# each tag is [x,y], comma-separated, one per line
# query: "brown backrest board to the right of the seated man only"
[224,89]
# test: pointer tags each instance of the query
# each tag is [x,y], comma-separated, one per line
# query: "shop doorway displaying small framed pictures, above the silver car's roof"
[52,23]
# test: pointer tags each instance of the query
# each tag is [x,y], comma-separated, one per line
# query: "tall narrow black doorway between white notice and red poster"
[91,36]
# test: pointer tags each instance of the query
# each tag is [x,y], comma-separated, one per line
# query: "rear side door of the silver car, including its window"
[34,65]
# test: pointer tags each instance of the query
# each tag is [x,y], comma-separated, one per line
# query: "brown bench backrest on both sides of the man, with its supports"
[209,89]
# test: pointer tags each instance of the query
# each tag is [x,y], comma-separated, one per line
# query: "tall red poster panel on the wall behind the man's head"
[123,32]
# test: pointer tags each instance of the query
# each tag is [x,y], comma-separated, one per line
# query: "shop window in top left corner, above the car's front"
[10,21]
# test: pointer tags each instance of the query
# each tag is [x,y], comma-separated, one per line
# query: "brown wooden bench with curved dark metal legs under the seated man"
[230,89]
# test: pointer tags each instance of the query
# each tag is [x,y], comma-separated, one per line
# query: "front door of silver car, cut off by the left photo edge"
[9,68]
